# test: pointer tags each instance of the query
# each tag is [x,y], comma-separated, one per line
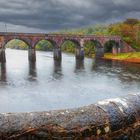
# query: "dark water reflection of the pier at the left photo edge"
[3,72]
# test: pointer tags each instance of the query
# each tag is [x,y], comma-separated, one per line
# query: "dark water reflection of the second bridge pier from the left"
[32,71]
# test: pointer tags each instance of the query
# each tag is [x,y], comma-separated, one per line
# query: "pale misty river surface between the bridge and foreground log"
[51,85]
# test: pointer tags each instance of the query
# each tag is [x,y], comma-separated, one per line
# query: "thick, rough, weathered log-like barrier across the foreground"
[112,119]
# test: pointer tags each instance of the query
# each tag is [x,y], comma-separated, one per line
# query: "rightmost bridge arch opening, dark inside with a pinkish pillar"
[112,46]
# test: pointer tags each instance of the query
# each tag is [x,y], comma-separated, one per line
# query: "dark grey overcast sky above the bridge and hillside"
[52,15]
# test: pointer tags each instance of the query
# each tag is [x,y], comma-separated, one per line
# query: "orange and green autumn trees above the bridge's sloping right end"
[129,30]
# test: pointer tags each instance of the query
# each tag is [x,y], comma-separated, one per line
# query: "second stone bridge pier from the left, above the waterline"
[32,55]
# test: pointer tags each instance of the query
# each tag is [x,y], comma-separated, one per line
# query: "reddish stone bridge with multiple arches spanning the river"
[31,39]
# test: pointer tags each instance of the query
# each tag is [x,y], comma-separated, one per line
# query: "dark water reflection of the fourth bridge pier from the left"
[79,65]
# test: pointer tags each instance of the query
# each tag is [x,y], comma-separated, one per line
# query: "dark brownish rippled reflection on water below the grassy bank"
[126,72]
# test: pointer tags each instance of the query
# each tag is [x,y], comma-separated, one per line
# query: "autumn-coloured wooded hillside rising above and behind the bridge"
[129,30]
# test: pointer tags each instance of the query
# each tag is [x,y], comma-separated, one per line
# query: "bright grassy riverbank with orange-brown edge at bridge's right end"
[133,57]
